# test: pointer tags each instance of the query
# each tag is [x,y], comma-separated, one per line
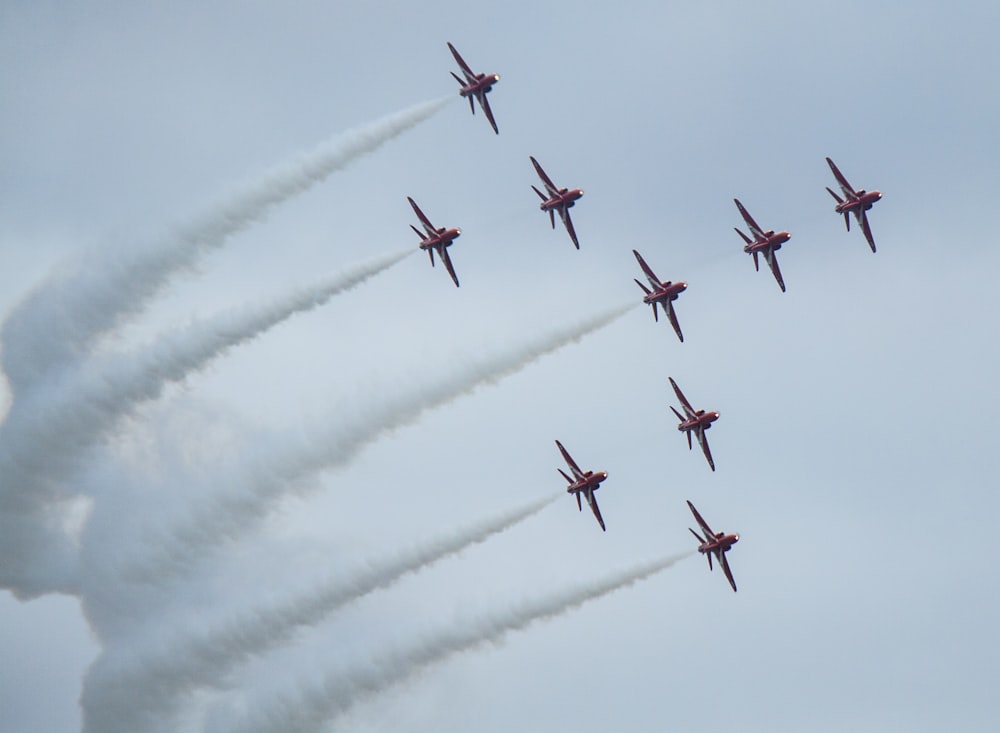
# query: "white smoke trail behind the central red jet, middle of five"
[274,477]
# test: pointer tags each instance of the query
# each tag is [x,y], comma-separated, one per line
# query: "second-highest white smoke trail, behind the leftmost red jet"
[45,437]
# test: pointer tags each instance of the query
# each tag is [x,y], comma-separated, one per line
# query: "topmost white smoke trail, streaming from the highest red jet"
[57,323]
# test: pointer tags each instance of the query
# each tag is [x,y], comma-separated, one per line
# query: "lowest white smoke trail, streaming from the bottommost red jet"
[315,707]
